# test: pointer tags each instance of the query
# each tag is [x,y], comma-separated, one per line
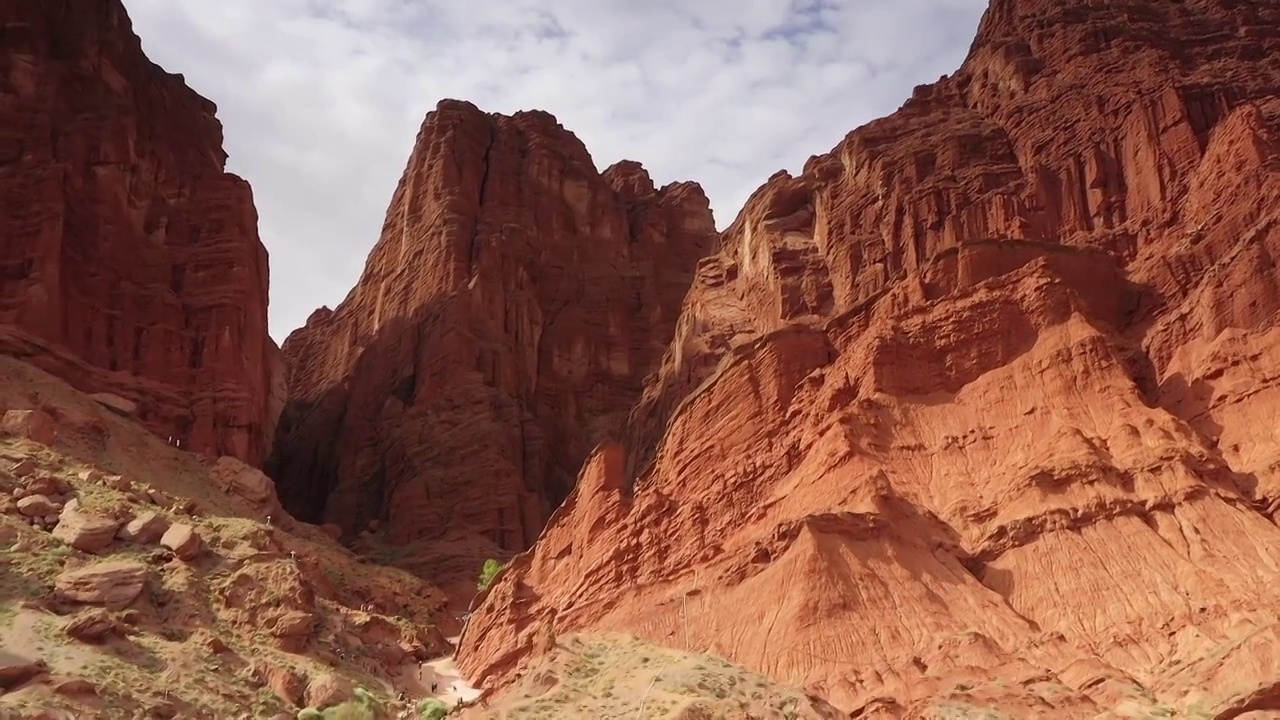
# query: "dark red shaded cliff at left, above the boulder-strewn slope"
[130,261]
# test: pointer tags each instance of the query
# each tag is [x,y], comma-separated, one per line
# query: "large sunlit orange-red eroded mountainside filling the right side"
[990,390]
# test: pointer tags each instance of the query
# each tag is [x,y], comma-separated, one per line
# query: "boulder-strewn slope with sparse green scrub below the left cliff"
[140,581]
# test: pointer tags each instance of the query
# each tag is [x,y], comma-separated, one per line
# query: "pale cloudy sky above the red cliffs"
[321,101]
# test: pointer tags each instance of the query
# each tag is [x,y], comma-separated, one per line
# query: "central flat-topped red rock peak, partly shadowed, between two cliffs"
[504,326]
